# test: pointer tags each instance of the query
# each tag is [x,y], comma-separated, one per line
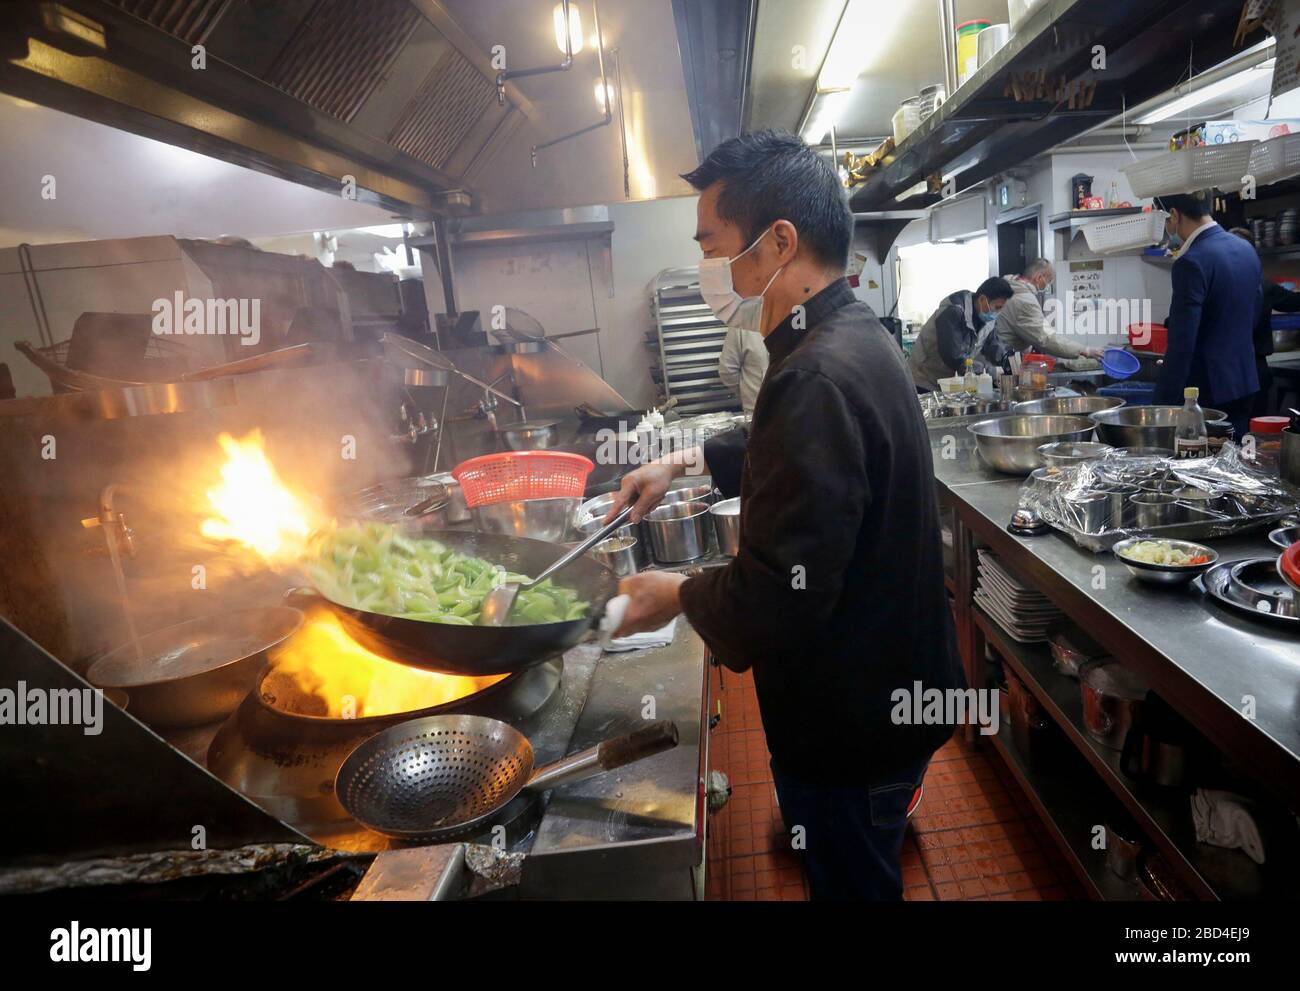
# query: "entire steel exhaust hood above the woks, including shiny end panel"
[395,98]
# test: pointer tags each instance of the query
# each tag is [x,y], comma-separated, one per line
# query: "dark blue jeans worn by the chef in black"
[853,837]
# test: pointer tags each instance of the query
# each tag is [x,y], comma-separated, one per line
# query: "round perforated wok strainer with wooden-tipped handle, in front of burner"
[448,776]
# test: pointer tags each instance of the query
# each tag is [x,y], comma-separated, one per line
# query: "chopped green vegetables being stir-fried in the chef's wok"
[375,569]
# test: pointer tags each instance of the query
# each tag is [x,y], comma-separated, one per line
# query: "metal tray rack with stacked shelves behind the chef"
[690,340]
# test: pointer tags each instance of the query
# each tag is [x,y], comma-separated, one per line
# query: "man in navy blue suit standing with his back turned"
[1217,301]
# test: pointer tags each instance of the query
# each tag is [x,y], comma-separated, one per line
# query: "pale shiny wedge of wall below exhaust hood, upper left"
[111,184]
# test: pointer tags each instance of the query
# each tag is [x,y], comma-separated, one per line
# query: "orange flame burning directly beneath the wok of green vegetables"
[346,681]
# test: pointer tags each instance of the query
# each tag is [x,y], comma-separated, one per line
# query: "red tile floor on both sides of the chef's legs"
[973,838]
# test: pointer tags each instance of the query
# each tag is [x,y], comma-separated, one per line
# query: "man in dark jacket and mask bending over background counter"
[961,328]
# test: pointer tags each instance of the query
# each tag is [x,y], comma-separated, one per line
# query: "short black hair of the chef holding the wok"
[770,176]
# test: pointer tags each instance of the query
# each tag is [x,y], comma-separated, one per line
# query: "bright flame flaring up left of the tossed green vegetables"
[252,507]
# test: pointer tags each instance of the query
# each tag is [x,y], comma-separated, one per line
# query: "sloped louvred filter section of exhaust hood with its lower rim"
[389,93]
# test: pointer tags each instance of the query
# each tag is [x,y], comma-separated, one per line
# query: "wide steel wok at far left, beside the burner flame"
[196,673]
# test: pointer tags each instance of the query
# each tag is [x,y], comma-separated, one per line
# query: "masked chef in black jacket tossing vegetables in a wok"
[837,599]
